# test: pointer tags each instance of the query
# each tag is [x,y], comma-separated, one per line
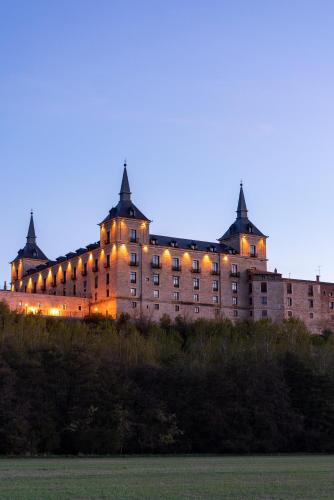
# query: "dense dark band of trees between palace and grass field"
[100,386]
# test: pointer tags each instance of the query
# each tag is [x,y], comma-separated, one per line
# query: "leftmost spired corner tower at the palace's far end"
[29,256]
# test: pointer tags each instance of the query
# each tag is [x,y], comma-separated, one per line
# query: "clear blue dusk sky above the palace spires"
[196,95]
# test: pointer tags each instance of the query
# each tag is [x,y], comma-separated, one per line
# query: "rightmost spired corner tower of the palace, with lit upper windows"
[243,235]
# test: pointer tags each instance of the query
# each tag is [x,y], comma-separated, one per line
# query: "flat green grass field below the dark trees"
[254,477]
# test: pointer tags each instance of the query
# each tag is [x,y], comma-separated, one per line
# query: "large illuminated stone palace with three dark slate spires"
[130,270]
